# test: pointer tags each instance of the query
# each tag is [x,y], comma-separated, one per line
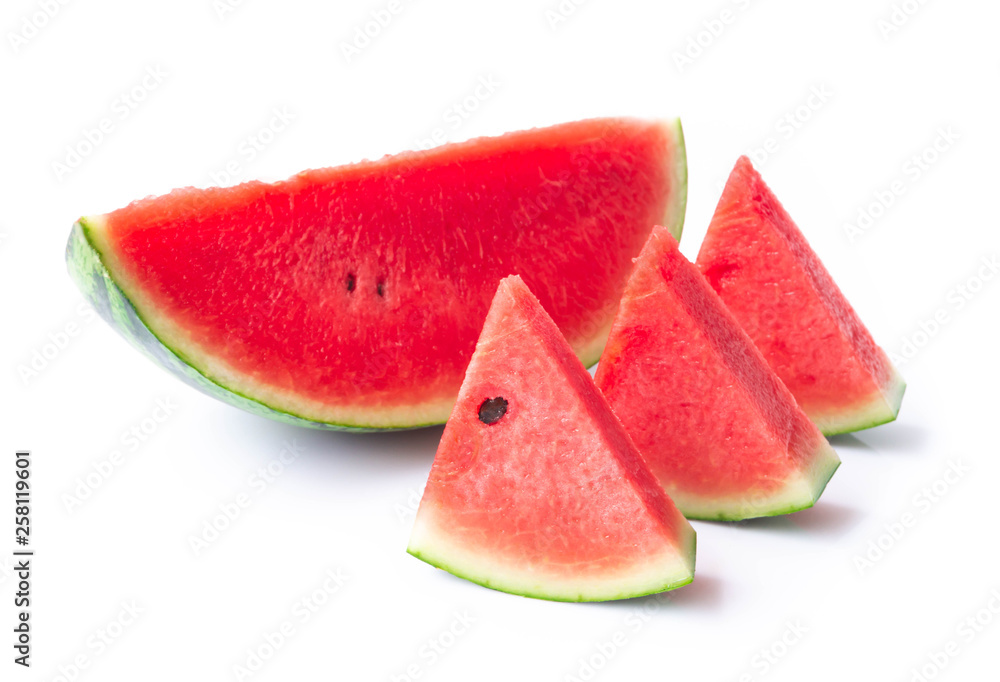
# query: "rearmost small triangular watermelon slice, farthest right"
[759,262]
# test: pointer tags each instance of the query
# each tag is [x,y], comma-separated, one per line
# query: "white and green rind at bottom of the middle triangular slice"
[799,492]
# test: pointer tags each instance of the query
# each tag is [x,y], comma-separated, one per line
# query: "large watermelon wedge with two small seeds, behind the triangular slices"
[353,296]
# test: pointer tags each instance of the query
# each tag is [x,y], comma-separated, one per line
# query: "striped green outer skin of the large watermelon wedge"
[93,279]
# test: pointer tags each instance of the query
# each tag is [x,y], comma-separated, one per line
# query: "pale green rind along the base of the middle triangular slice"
[788,500]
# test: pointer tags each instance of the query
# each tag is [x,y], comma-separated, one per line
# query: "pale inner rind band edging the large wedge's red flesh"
[371,415]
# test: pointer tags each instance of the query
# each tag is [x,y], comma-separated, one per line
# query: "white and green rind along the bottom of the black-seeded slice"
[431,543]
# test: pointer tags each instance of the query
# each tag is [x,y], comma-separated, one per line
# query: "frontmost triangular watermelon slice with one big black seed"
[536,488]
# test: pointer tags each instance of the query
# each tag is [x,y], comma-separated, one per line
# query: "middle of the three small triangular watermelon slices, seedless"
[716,425]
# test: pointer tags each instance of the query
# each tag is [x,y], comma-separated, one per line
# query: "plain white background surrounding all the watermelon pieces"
[338,505]
